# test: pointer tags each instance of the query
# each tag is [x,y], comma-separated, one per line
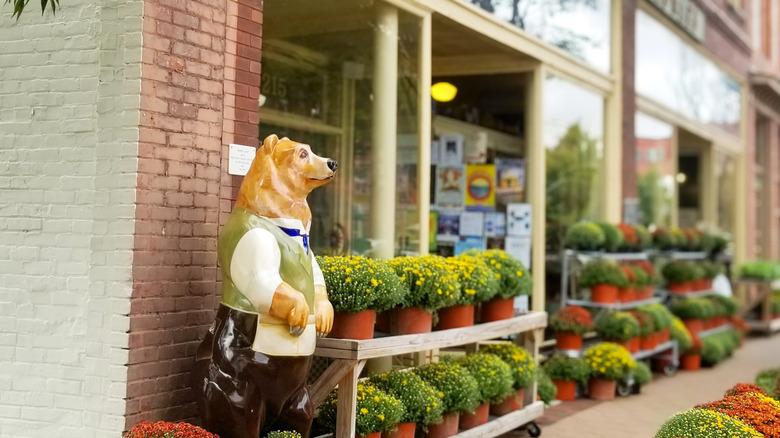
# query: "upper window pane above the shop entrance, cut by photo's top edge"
[581,27]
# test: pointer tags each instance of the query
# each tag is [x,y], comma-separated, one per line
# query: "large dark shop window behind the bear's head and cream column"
[317,87]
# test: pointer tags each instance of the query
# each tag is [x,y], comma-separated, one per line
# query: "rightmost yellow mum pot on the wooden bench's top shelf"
[515,280]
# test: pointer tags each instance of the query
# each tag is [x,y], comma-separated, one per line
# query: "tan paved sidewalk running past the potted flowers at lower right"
[641,415]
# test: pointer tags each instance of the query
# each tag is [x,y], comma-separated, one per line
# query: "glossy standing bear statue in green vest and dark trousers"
[250,370]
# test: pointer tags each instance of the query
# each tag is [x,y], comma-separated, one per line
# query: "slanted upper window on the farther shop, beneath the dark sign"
[674,74]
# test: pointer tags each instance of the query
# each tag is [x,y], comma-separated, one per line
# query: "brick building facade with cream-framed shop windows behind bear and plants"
[117,120]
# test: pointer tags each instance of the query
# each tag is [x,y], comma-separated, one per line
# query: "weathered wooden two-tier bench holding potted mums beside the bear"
[350,356]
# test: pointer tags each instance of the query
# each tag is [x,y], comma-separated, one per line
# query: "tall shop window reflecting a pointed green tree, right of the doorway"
[574,140]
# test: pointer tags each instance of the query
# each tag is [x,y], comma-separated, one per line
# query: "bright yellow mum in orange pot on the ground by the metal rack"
[608,362]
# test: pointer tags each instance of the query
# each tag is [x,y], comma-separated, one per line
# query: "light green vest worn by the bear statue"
[295,267]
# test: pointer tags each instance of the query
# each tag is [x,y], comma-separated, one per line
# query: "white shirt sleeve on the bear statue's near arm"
[254,268]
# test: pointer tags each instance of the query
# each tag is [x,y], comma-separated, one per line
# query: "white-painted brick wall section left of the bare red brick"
[69,98]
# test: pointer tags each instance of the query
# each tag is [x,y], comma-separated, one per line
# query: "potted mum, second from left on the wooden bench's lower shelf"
[422,401]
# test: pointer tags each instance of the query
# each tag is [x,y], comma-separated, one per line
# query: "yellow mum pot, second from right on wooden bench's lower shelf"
[495,381]
